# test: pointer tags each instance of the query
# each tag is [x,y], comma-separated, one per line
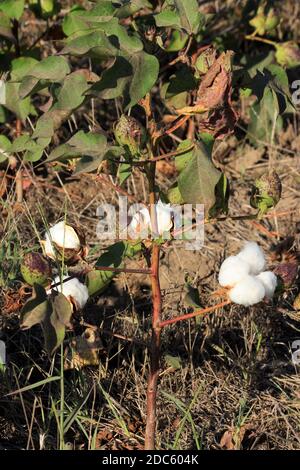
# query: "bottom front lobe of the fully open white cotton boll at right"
[248,291]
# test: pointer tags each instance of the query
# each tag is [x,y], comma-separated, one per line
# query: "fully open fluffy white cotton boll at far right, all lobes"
[245,276]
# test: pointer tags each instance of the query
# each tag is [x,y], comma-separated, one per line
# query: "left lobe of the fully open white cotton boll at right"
[233,270]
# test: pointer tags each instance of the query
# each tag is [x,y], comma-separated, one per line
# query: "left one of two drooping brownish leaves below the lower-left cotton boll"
[36,309]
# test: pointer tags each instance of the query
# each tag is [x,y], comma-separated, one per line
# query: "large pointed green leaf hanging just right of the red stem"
[197,181]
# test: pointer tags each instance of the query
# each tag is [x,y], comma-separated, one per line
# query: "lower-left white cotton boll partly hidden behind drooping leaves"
[74,290]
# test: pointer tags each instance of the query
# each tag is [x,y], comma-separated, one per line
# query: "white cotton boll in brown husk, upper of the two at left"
[64,241]
